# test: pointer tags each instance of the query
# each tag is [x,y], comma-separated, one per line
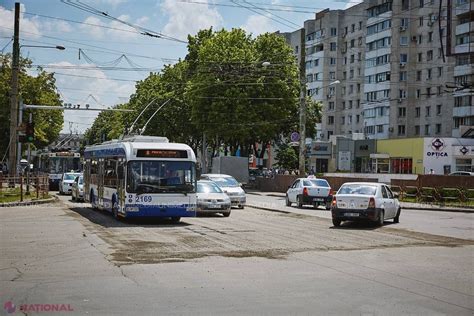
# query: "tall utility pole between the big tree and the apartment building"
[302,158]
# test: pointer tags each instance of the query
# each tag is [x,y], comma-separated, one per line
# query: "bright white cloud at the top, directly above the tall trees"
[187,19]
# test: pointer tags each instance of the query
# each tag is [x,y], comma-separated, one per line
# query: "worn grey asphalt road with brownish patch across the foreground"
[254,262]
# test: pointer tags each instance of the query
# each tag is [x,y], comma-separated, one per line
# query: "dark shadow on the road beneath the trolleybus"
[105,219]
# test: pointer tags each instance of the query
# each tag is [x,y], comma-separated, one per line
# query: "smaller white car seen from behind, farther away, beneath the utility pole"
[309,191]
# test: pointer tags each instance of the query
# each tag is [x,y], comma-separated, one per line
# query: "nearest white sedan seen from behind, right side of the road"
[359,201]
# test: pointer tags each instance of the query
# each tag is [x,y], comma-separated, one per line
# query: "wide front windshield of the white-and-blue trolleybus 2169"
[161,176]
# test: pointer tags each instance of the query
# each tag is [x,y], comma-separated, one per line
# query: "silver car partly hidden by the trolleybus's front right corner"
[211,199]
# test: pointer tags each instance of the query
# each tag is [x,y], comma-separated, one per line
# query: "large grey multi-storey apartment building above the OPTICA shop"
[380,68]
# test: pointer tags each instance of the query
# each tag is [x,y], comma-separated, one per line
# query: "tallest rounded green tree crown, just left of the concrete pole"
[235,100]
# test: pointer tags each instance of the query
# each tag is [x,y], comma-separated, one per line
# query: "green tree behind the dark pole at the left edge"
[40,89]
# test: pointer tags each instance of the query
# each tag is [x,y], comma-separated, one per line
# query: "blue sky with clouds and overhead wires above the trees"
[100,41]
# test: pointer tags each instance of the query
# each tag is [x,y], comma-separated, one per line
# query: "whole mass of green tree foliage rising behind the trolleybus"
[236,89]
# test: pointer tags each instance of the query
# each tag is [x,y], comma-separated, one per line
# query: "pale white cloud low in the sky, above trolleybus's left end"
[79,90]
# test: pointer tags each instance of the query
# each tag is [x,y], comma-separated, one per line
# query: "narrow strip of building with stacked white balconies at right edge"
[463,42]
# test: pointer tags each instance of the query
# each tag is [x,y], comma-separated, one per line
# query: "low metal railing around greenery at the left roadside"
[13,189]
